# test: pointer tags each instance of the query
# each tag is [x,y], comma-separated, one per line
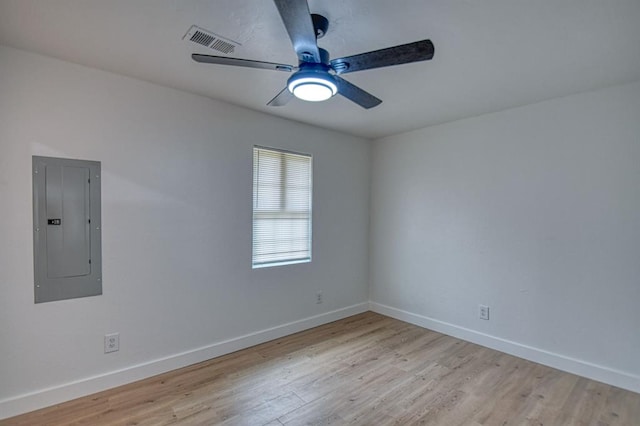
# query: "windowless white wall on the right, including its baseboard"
[534,211]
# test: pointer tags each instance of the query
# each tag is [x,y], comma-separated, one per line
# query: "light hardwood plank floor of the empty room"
[364,370]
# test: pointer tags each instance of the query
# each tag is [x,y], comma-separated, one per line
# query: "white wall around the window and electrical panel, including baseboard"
[176,207]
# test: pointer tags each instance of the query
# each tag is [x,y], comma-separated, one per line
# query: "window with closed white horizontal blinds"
[281,207]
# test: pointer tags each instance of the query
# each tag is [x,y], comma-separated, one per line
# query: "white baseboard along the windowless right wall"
[582,368]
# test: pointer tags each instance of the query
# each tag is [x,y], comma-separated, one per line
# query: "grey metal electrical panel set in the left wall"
[67,229]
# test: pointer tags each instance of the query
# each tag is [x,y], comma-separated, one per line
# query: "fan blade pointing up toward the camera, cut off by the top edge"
[297,20]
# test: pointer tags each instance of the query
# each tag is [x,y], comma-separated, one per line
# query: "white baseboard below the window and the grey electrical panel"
[46,397]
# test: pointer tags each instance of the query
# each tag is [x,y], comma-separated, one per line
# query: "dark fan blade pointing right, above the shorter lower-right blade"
[402,54]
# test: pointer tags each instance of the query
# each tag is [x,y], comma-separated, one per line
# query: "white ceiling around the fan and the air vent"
[489,55]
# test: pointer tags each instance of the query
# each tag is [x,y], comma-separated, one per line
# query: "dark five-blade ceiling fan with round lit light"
[317,78]
